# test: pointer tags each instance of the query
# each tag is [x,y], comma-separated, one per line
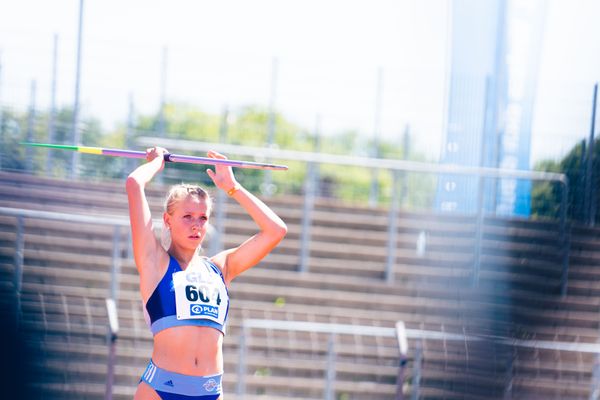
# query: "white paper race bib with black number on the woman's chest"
[199,294]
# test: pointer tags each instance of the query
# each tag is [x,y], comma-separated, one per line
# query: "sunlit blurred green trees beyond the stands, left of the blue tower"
[243,126]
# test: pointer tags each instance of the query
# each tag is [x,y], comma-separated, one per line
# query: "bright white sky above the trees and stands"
[328,52]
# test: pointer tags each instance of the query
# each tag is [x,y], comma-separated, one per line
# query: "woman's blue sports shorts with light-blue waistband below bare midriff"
[173,386]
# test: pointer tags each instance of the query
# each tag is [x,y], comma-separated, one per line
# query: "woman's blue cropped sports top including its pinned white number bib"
[197,296]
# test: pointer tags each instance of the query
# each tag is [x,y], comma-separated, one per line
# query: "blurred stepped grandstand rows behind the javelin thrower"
[67,276]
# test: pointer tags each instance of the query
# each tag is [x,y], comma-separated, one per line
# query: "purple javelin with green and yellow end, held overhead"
[168,156]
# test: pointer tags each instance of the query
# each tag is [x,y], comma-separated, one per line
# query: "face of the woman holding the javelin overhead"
[188,222]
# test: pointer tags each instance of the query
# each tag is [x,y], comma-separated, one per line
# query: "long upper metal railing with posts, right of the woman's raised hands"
[398,169]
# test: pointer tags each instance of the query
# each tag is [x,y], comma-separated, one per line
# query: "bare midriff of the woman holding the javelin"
[189,350]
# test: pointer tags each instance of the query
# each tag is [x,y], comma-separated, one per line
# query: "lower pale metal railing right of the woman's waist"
[413,356]
